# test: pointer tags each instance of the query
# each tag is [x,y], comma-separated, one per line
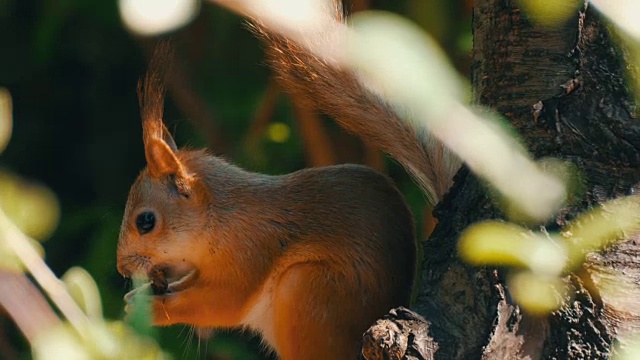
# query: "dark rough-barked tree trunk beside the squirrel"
[575,76]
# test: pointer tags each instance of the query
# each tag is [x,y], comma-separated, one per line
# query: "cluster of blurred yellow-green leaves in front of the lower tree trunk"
[542,290]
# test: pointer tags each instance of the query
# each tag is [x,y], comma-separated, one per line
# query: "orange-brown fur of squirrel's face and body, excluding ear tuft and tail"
[309,259]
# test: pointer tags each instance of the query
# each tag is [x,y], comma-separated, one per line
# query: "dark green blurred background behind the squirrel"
[71,69]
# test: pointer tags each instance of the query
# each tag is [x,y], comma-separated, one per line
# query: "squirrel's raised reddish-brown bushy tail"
[339,94]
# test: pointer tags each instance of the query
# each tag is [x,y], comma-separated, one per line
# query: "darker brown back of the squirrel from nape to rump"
[356,214]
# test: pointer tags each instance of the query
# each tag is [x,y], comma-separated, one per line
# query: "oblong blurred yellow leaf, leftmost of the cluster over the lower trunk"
[493,242]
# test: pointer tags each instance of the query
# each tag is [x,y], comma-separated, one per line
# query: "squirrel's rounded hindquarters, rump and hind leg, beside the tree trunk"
[348,257]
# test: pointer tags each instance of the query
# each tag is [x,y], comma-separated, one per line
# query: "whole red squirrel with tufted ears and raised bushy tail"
[309,260]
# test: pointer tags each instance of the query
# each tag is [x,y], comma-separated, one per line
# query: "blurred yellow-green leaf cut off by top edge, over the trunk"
[550,12]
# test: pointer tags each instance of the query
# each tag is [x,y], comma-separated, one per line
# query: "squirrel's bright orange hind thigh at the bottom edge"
[312,303]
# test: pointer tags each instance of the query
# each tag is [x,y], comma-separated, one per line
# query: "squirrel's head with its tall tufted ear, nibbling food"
[166,212]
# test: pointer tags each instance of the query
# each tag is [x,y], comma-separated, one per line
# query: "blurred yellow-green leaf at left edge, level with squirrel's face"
[31,206]
